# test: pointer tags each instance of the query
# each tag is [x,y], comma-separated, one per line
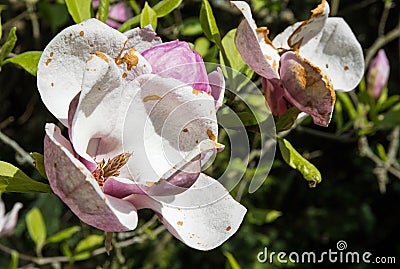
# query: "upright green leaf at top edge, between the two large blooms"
[208,23]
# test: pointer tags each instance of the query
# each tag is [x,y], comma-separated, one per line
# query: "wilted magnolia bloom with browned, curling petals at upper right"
[304,64]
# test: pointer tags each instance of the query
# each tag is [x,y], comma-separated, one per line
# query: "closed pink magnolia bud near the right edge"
[378,74]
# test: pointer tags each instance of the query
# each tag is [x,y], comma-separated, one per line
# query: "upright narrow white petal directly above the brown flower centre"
[102,88]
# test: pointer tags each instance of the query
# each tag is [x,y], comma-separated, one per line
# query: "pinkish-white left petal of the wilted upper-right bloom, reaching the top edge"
[247,43]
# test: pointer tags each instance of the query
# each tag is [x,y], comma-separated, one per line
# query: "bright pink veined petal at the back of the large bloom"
[177,60]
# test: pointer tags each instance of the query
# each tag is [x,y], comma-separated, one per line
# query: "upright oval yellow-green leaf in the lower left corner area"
[36,227]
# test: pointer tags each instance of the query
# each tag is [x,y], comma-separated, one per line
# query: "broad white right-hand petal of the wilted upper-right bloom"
[338,53]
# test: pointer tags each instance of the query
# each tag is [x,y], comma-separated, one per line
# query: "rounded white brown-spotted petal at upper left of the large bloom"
[61,66]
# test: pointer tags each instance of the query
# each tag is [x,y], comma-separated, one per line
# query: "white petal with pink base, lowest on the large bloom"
[203,217]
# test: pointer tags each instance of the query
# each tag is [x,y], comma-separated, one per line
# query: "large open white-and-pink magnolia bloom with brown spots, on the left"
[139,129]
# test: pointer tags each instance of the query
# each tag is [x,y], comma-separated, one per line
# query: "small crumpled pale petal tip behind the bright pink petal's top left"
[142,38]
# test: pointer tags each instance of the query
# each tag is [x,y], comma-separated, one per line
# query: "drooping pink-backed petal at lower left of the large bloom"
[76,186]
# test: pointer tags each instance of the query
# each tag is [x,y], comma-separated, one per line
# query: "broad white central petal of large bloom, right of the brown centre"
[168,124]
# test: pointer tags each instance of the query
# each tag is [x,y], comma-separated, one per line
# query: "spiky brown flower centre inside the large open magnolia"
[110,168]
